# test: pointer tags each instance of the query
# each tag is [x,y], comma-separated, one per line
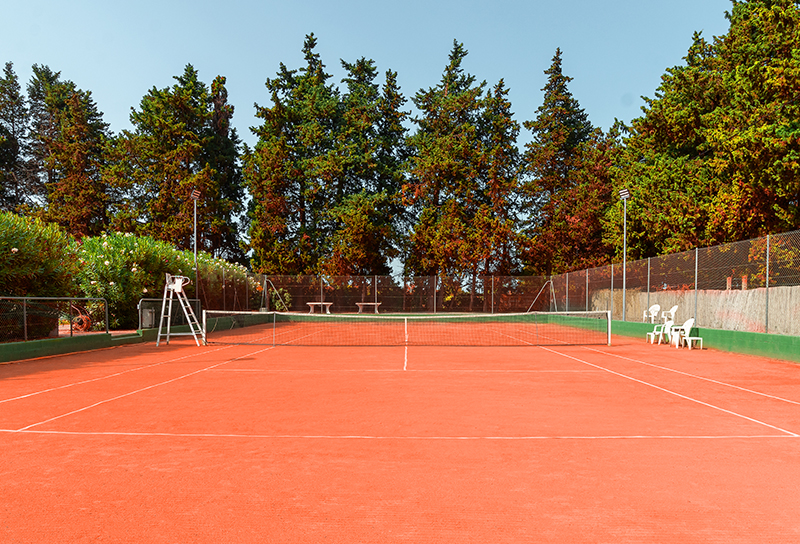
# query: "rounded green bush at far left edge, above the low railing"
[36,258]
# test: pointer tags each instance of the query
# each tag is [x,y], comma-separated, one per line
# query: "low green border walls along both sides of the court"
[749,343]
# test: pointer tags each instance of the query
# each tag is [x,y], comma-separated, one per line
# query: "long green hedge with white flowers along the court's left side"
[40,259]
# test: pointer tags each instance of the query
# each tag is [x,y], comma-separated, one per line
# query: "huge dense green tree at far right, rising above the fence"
[716,157]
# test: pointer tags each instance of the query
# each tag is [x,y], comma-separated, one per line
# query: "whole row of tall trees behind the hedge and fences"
[343,179]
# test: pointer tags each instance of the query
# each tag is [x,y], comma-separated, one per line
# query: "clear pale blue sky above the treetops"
[614,51]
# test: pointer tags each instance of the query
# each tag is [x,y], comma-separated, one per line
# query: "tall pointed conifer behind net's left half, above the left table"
[294,174]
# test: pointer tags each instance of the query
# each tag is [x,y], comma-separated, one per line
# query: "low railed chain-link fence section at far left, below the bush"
[33,318]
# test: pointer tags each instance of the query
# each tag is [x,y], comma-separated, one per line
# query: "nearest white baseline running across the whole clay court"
[403,438]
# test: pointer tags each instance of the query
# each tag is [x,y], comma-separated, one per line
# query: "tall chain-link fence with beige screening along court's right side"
[752,286]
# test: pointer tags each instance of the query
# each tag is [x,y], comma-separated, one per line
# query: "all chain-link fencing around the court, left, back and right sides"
[752,285]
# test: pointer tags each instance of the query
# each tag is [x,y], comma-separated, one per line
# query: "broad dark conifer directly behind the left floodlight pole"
[180,143]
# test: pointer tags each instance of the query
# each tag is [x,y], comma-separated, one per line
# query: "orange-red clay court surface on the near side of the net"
[238,444]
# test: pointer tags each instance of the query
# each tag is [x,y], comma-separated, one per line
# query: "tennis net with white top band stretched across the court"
[293,329]
